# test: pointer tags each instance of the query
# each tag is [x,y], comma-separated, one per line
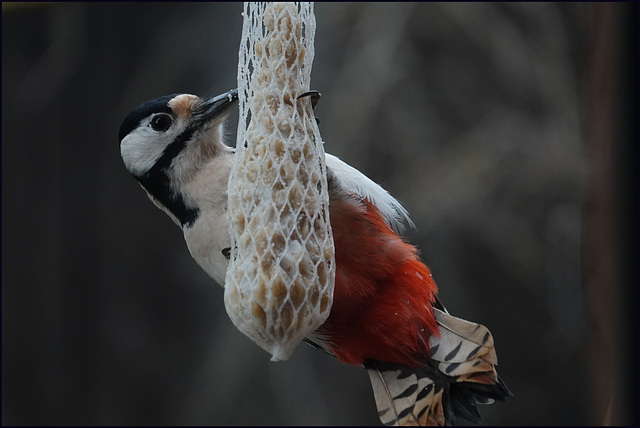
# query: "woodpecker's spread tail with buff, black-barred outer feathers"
[459,373]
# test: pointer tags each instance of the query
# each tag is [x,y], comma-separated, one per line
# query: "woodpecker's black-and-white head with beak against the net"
[165,141]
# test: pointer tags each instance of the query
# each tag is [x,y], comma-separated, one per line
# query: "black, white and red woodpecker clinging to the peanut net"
[426,366]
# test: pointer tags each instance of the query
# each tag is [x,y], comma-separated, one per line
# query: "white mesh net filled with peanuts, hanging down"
[279,284]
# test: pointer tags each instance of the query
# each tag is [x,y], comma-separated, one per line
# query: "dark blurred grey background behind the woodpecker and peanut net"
[508,131]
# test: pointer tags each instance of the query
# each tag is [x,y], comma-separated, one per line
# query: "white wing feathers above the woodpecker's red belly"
[353,181]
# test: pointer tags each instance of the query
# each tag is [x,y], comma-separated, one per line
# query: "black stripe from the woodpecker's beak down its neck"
[157,182]
